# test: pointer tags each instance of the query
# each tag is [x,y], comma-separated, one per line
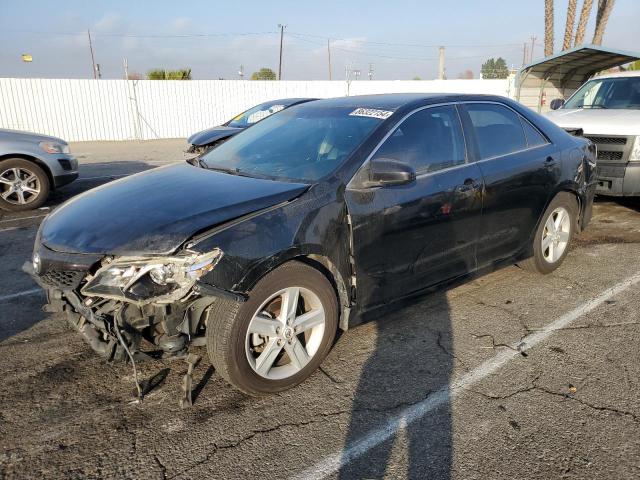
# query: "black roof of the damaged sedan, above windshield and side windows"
[396,101]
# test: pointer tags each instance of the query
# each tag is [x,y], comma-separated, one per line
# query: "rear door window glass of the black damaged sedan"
[498,129]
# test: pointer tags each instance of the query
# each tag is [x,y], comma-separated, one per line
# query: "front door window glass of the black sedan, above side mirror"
[429,140]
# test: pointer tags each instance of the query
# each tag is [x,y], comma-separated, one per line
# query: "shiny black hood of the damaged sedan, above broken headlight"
[155,212]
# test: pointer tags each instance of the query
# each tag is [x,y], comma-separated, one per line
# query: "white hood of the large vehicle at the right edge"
[598,121]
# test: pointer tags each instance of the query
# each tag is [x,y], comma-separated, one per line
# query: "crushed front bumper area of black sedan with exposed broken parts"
[167,328]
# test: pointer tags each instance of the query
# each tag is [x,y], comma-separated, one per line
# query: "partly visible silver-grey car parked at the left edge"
[31,165]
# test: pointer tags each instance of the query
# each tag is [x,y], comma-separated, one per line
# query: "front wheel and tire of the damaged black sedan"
[279,336]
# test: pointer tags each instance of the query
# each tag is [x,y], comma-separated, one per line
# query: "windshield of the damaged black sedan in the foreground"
[303,143]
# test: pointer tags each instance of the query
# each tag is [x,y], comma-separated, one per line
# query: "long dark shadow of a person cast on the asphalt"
[412,360]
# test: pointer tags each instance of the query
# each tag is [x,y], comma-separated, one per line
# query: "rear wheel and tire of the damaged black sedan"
[553,236]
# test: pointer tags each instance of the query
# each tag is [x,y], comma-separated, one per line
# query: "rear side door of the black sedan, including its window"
[520,168]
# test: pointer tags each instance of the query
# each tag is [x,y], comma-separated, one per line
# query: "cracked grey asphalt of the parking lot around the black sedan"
[568,407]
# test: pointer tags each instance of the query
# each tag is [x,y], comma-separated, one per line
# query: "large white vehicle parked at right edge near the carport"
[607,109]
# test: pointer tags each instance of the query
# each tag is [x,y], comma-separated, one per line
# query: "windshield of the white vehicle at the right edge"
[622,92]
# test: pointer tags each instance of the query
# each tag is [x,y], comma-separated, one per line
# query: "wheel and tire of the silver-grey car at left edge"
[23,185]
